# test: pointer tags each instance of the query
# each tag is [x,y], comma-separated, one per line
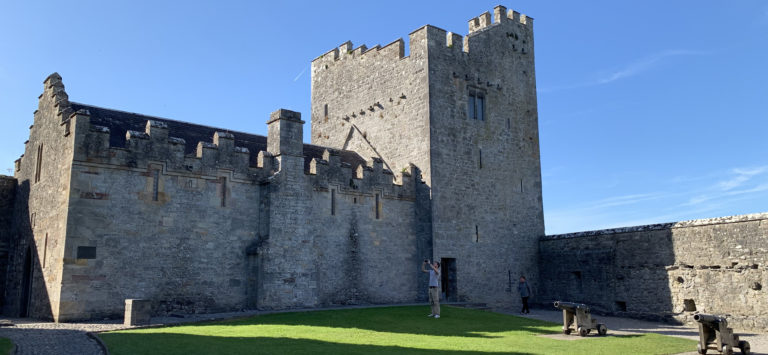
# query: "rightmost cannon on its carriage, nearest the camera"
[714,334]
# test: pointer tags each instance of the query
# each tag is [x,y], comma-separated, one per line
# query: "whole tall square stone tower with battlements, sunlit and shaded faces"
[463,110]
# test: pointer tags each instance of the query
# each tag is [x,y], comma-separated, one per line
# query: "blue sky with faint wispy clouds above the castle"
[651,111]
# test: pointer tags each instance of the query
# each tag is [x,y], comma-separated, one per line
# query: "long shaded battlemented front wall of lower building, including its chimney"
[208,232]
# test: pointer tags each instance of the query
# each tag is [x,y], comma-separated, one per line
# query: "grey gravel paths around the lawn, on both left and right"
[47,338]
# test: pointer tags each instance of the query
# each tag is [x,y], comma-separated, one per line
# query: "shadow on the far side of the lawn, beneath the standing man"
[408,320]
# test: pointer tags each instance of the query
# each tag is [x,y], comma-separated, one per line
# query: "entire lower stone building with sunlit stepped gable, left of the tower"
[203,226]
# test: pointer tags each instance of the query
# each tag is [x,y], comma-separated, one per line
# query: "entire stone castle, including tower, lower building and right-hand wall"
[431,155]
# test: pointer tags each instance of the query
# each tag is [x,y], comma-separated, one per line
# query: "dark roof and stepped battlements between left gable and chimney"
[98,140]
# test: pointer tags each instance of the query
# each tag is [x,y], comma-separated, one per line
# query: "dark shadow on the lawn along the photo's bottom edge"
[137,344]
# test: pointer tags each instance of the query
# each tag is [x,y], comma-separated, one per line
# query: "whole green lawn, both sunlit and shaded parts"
[391,330]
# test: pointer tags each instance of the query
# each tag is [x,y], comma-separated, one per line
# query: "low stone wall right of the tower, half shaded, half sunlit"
[664,271]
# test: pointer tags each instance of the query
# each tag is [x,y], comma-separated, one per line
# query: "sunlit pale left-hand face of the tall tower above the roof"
[375,102]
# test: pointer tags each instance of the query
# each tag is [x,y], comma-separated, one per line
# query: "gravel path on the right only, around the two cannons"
[757,341]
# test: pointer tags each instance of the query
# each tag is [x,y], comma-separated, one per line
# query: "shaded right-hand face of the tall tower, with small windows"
[486,183]
